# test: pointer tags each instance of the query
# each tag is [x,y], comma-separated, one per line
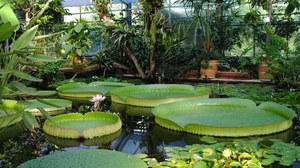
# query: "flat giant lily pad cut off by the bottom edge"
[88,158]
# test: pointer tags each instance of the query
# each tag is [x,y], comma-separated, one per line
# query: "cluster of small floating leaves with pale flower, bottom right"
[237,153]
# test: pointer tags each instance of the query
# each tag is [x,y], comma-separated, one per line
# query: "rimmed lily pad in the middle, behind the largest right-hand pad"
[155,94]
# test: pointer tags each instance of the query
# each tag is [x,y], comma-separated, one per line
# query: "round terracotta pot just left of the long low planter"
[211,70]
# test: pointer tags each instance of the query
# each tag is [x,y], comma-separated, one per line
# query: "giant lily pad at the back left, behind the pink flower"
[82,92]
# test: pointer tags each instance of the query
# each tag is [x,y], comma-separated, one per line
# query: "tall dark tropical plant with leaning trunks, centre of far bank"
[146,45]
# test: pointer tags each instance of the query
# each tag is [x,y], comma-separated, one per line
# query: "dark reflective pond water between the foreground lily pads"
[139,134]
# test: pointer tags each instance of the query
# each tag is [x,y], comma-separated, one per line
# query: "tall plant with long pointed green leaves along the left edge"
[19,51]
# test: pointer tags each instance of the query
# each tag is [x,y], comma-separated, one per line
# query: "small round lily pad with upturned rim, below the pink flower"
[89,125]
